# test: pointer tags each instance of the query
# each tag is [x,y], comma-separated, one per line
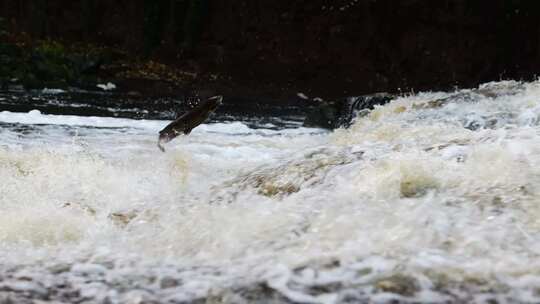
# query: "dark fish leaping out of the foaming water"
[189,120]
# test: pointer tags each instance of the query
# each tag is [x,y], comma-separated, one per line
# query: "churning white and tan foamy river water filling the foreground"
[434,197]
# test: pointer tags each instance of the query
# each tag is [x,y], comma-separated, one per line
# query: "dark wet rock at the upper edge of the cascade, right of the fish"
[341,113]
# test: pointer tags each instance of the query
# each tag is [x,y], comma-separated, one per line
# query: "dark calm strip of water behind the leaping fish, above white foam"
[122,105]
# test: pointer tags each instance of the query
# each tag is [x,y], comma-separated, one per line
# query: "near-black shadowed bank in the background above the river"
[275,49]
